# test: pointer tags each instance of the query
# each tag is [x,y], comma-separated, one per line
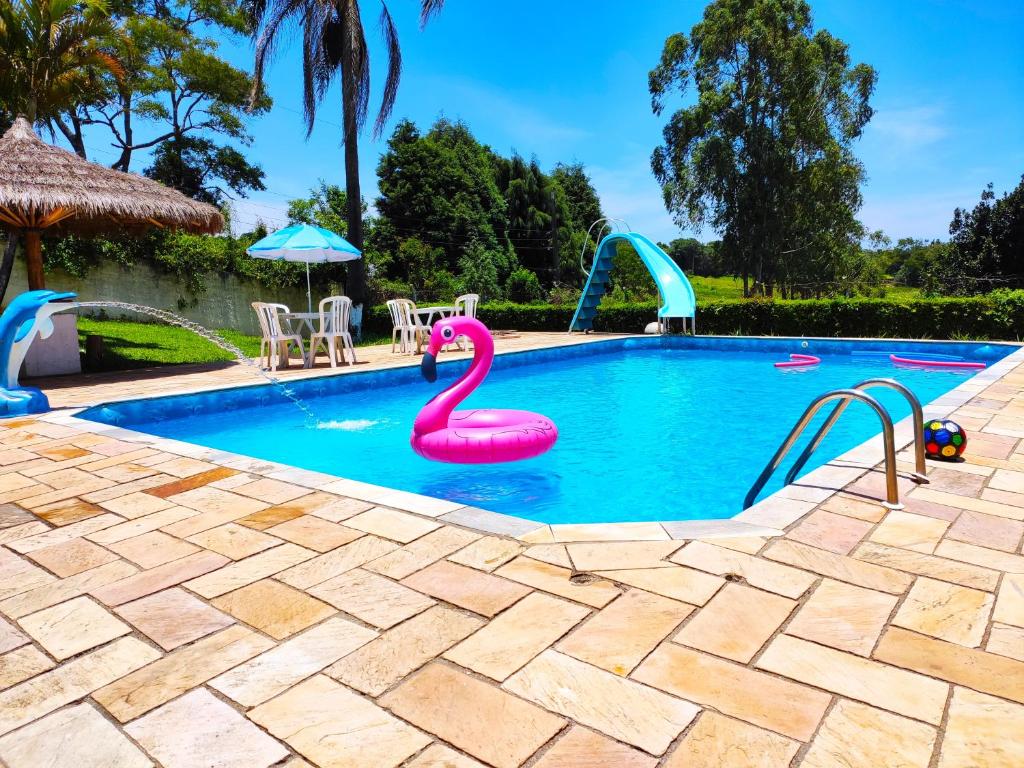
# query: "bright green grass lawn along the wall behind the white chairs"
[130,346]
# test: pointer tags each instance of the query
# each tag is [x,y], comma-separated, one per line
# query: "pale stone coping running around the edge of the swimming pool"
[770,518]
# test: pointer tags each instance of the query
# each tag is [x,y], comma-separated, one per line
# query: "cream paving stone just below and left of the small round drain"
[518,635]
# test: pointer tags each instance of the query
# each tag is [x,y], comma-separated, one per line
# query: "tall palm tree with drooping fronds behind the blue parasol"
[334,42]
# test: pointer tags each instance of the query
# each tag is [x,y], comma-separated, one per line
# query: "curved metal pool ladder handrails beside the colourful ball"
[845,398]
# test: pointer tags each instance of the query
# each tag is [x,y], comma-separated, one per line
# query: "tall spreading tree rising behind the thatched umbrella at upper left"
[179,99]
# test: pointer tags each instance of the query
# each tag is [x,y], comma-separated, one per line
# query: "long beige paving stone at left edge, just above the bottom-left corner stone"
[70,682]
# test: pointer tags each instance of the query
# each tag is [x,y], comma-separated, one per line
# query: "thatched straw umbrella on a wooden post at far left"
[46,188]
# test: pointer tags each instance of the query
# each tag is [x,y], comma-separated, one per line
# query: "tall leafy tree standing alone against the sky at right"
[764,156]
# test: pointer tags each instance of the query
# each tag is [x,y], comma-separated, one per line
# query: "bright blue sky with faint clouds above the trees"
[569,81]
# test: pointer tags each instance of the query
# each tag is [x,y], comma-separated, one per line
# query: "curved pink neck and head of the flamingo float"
[435,415]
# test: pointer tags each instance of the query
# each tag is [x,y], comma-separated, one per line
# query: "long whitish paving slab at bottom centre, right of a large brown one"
[618,707]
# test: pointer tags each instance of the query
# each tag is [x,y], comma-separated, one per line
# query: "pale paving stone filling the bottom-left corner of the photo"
[76,738]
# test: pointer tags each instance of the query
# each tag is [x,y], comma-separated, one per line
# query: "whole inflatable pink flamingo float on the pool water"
[483,436]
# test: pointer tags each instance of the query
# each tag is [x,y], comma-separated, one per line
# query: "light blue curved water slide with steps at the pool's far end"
[677,293]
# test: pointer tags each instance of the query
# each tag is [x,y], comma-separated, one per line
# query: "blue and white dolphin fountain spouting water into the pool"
[27,318]
